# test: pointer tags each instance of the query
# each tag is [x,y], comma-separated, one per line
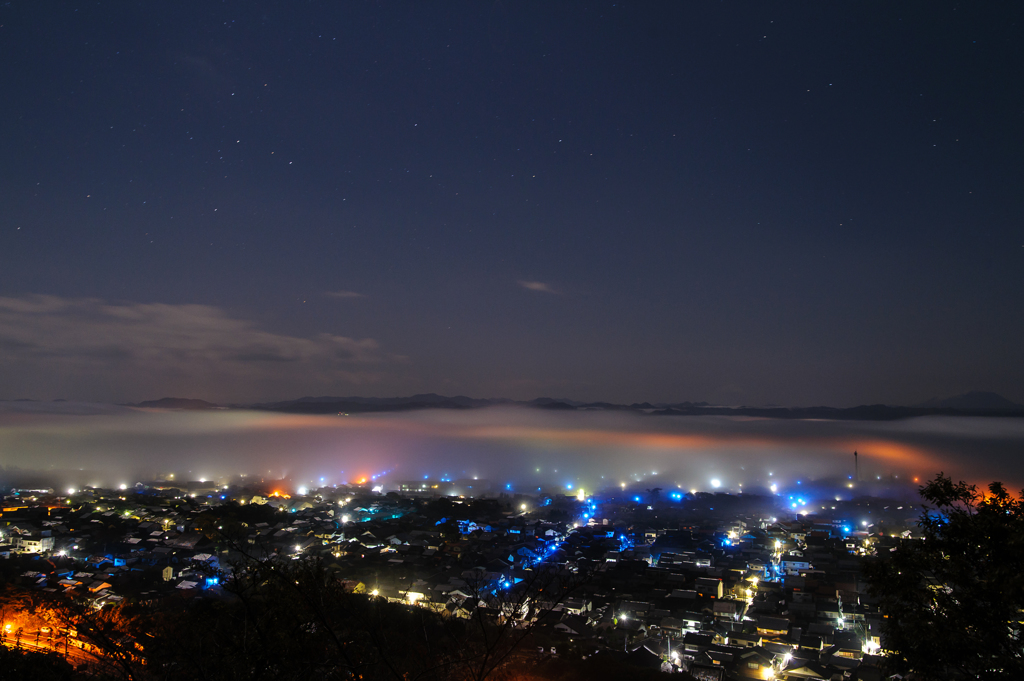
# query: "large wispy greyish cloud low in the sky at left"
[92,349]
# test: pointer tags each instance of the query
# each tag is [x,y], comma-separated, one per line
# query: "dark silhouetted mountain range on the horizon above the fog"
[971,404]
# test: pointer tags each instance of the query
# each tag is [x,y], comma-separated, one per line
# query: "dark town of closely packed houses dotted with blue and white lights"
[734,593]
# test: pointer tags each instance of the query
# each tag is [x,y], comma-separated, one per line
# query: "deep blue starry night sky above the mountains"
[804,204]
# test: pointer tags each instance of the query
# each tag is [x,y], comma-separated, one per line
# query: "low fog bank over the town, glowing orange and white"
[518,449]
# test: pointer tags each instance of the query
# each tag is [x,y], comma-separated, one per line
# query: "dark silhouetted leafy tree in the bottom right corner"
[954,602]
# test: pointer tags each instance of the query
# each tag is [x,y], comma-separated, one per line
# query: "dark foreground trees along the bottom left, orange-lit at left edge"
[284,619]
